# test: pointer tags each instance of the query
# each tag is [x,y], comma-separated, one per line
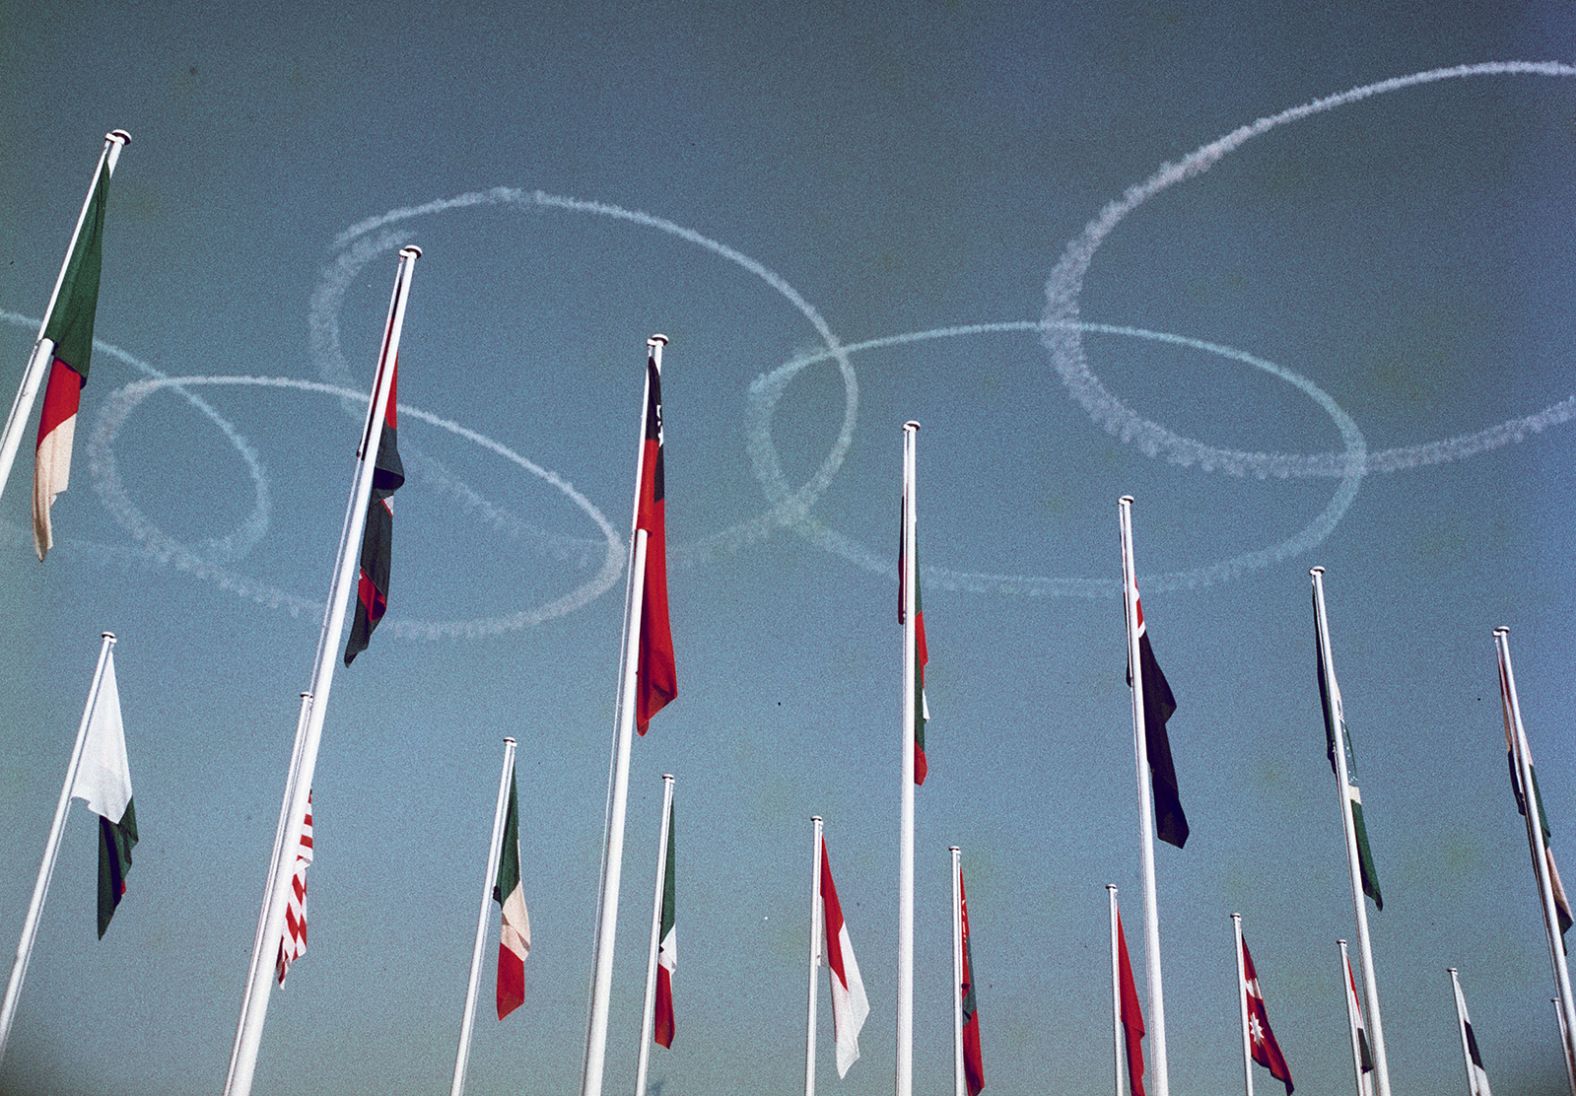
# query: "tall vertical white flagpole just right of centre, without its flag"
[905,904]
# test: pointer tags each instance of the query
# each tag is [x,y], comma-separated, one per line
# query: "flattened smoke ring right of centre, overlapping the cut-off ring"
[768,390]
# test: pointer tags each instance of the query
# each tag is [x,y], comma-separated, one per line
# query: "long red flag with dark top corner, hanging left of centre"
[656,676]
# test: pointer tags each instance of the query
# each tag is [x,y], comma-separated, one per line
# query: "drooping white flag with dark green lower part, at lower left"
[105,785]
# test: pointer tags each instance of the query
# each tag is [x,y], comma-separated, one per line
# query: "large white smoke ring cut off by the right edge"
[1063,335]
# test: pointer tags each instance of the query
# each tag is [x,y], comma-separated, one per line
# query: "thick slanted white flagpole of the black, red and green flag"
[310,734]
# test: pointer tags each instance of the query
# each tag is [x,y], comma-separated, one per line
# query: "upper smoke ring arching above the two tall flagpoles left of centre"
[362,242]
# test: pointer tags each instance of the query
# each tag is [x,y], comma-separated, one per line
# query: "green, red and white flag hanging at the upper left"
[70,329]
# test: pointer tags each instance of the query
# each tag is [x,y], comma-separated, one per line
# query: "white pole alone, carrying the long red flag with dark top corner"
[619,777]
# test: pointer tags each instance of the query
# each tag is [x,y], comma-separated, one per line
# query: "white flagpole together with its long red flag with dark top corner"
[647,682]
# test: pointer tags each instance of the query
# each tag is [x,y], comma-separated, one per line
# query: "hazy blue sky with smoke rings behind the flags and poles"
[1049,233]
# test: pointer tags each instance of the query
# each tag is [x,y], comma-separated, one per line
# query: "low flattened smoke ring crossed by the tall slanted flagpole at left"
[168,550]
